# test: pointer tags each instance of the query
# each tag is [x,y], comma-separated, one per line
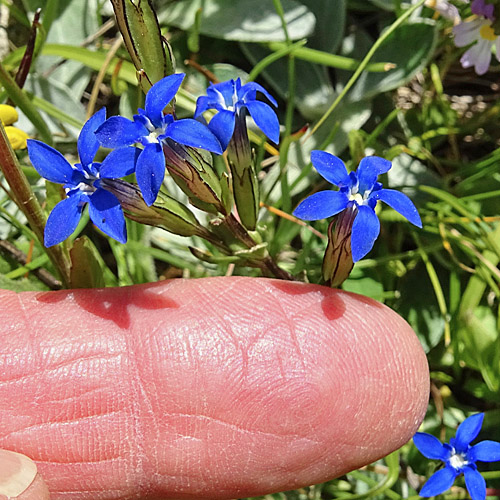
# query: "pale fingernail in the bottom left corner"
[16,473]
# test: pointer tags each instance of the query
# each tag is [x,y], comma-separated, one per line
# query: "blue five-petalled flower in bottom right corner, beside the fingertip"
[459,457]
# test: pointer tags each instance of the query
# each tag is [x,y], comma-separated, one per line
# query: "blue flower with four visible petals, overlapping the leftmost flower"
[150,127]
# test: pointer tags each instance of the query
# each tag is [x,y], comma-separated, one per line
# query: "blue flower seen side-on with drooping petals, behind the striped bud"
[230,99]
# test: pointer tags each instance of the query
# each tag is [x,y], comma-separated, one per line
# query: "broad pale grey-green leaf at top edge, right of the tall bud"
[241,20]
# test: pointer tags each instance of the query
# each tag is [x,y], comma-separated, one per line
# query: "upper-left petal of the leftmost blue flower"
[49,163]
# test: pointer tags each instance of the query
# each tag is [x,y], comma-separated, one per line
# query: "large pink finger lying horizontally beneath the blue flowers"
[204,389]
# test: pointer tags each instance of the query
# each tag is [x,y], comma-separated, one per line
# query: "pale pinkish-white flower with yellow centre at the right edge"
[480,32]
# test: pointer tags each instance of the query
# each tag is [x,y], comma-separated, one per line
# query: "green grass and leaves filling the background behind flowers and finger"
[436,122]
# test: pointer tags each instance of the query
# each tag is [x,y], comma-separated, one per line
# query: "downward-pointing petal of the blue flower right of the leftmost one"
[150,171]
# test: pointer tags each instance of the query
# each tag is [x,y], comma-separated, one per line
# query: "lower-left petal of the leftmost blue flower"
[63,220]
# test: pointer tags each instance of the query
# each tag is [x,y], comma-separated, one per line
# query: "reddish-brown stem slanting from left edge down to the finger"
[25,199]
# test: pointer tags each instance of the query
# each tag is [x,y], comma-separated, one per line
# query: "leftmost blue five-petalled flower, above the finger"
[82,185]
